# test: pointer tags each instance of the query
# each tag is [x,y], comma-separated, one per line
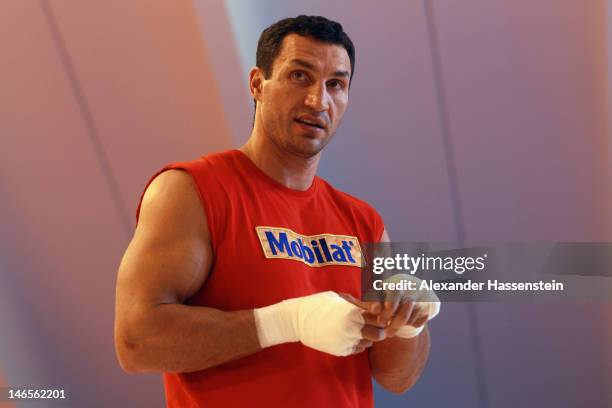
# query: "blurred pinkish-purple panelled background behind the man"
[472,120]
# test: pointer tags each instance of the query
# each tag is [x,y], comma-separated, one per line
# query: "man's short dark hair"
[316,27]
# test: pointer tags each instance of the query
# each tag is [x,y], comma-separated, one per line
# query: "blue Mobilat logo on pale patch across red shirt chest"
[313,250]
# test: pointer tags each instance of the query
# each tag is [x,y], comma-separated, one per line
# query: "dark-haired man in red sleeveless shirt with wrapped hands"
[242,279]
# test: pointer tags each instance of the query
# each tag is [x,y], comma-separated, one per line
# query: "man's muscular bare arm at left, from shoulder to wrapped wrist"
[167,261]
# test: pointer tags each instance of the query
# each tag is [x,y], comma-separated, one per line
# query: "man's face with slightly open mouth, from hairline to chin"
[302,103]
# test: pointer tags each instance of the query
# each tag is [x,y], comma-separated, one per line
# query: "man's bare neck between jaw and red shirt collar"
[292,171]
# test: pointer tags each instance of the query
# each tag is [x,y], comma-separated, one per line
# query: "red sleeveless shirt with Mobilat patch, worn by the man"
[272,243]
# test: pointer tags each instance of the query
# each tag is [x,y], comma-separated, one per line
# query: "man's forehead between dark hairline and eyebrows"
[324,56]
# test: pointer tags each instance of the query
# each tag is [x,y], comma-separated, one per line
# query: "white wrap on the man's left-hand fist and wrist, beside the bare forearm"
[323,321]
